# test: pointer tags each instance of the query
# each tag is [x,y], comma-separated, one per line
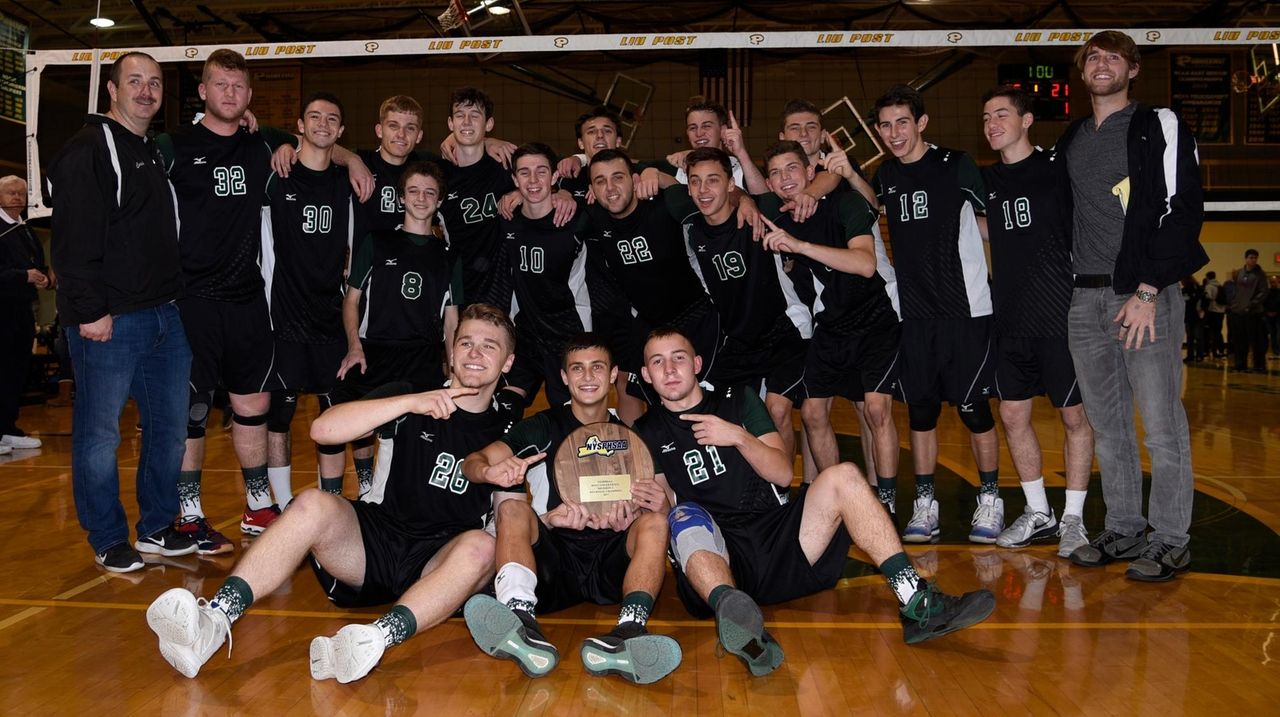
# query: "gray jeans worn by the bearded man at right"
[1112,378]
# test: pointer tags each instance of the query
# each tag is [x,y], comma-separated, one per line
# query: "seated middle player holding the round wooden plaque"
[554,554]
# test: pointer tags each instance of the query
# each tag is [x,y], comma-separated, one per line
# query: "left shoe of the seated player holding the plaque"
[513,634]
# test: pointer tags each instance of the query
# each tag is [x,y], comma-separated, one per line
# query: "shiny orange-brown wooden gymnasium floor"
[1063,641]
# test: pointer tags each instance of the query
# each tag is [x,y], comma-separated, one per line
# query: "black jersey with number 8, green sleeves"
[406,285]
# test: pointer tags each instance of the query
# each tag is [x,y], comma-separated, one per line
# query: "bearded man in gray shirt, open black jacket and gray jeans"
[1139,211]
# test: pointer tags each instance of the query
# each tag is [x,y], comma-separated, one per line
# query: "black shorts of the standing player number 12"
[952,360]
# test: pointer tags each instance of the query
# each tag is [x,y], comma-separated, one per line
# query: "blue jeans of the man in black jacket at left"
[148,358]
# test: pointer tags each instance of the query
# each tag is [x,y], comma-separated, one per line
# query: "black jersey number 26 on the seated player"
[427,494]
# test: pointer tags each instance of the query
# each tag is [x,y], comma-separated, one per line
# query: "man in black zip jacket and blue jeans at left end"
[116,248]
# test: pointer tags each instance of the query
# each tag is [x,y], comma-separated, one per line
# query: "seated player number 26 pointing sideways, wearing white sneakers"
[423,547]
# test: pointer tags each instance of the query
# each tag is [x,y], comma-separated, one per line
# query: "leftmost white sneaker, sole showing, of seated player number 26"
[189,629]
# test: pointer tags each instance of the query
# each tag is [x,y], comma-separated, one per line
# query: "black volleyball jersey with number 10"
[548,270]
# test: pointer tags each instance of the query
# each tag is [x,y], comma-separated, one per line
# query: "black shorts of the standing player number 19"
[775,363]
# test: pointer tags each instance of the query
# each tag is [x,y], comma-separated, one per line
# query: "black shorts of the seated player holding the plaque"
[579,567]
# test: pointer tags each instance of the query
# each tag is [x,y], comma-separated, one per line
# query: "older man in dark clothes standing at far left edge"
[22,272]
